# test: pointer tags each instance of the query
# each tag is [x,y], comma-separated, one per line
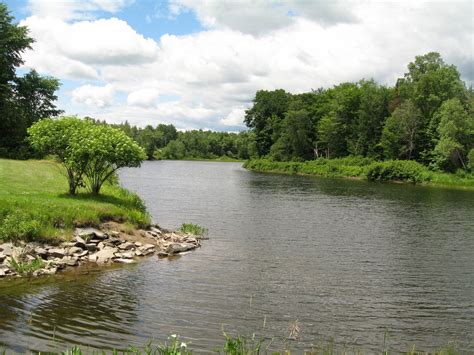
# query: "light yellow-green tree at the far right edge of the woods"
[456,135]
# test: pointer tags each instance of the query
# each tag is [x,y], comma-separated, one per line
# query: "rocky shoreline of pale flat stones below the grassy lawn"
[108,244]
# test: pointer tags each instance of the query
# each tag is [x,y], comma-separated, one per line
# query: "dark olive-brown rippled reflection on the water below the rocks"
[77,308]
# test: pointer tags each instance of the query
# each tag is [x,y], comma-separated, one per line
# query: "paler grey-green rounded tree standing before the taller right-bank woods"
[400,132]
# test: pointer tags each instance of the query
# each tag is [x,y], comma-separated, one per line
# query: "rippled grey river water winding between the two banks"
[349,260]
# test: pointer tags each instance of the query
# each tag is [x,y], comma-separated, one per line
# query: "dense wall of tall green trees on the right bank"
[427,117]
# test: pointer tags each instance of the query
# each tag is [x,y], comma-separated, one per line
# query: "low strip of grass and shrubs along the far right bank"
[365,168]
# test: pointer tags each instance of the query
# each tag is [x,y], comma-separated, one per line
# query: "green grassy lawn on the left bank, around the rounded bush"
[34,204]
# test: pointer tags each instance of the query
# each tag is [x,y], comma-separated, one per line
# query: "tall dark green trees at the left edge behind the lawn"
[23,100]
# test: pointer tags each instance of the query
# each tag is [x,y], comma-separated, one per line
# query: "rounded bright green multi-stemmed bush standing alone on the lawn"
[91,153]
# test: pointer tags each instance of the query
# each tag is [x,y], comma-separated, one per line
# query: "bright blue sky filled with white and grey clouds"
[198,63]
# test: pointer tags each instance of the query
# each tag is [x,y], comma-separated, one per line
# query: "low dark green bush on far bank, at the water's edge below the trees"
[398,170]
